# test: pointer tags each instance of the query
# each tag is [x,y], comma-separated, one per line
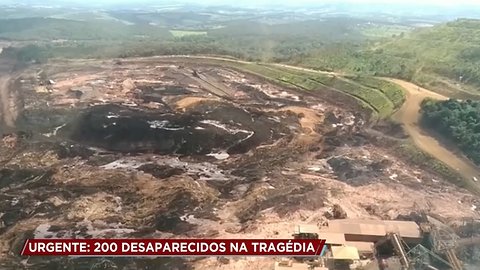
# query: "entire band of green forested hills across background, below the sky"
[440,57]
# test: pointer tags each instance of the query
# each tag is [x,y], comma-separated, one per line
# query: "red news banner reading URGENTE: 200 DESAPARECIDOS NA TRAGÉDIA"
[173,247]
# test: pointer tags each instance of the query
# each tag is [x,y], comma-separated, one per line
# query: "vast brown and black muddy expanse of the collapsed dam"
[180,147]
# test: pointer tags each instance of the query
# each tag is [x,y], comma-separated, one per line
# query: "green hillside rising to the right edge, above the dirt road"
[443,56]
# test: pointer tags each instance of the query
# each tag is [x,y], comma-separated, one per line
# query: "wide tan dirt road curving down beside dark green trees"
[409,115]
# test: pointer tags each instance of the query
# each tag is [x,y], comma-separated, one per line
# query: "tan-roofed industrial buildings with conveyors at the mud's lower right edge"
[379,245]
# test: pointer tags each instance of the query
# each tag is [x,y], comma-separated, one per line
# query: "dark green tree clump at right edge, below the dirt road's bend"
[458,121]
